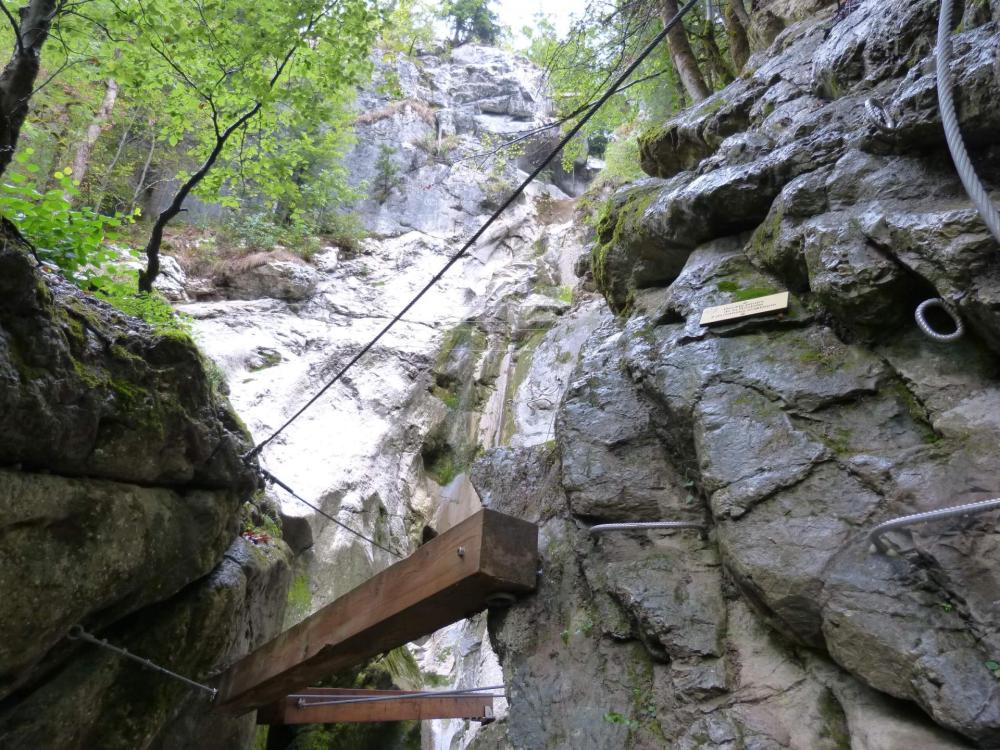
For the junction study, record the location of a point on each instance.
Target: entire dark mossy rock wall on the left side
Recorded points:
(121, 494)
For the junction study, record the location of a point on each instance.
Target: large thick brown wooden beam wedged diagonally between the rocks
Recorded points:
(444, 581)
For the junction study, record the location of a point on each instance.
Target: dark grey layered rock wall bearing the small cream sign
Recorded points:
(790, 436)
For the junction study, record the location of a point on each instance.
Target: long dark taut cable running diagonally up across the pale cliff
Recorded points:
(517, 193)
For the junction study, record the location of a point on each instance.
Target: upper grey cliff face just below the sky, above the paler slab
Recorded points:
(455, 106)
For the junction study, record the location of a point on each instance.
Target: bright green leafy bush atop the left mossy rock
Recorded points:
(78, 241)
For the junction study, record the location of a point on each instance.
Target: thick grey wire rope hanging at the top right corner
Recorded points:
(966, 172)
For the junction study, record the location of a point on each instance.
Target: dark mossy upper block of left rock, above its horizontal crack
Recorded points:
(87, 390)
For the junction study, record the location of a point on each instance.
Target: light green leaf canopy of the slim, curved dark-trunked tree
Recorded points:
(212, 61)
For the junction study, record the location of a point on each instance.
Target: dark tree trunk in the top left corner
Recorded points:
(17, 81)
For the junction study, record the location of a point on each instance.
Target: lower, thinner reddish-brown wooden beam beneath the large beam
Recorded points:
(408, 709)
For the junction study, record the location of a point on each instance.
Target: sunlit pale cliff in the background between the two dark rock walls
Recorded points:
(483, 360)
